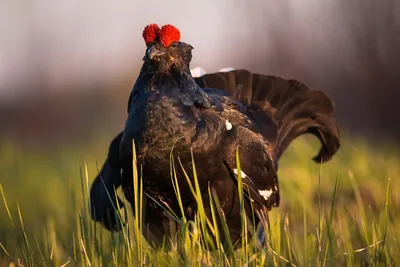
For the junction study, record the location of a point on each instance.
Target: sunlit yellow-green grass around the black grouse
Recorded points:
(344, 212)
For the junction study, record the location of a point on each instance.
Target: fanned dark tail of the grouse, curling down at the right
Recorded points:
(283, 109)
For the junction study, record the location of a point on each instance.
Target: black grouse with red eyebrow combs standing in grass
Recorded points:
(208, 118)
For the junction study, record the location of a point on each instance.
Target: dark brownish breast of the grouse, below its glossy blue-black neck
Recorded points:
(167, 125)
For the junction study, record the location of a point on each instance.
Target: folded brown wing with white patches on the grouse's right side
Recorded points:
(255, 154)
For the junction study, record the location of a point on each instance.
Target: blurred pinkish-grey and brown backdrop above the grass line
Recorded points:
(67, 67)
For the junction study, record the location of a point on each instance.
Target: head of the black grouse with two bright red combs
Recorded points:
(164, 48)
